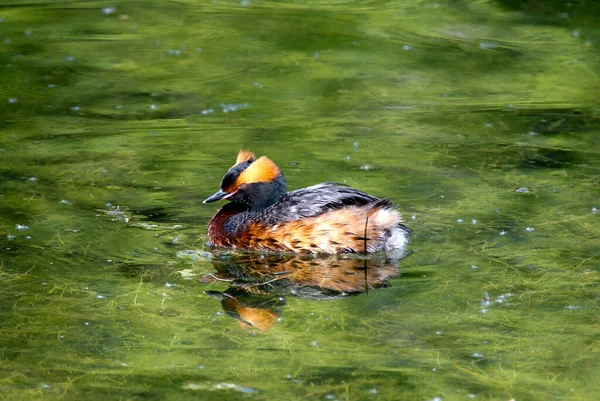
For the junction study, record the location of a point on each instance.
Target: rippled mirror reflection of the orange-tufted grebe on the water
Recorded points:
(258, 283)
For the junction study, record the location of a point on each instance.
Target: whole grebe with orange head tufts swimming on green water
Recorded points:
(326, 218)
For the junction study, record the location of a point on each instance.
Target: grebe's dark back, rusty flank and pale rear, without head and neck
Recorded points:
(324, 218)
